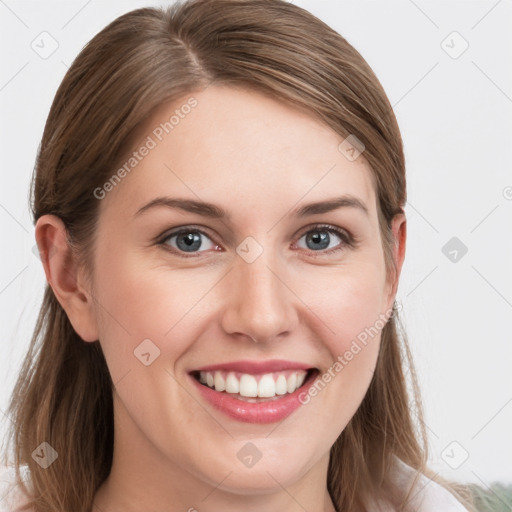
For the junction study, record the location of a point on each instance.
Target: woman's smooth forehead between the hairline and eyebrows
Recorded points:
(236, 144)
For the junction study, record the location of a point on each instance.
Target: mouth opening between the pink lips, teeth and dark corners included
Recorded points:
(255, 387)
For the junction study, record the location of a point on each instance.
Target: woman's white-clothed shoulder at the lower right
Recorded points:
(426, 495)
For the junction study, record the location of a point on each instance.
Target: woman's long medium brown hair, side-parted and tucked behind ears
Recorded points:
(141, 60)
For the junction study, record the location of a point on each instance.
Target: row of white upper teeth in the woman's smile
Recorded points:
(263, 386)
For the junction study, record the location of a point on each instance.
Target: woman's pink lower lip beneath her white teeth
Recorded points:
(270, 411)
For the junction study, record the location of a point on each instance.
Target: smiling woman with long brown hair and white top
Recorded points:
(218, 202)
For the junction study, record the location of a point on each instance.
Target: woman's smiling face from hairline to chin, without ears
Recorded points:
(273, 286)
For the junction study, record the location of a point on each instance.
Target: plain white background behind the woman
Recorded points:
(455, 116)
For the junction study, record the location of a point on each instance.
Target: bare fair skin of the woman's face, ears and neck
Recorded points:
(259, 159)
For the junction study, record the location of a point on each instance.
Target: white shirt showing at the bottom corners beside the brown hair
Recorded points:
(428, 496)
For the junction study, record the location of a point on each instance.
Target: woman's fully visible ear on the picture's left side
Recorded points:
(64, 276)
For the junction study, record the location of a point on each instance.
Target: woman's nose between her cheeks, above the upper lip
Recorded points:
(259, 303)
